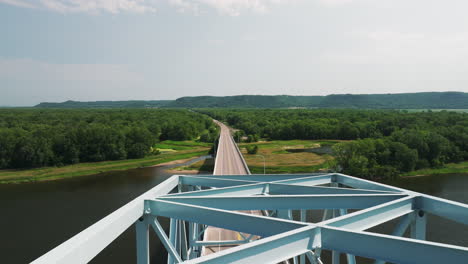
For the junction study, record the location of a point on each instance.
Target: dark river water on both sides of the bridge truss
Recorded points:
(39, 216)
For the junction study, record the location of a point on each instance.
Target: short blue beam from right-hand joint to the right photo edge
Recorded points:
(454, 211)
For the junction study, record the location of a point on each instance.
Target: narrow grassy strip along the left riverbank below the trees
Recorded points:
(190, 150)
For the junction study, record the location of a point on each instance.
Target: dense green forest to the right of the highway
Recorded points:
(385, 143)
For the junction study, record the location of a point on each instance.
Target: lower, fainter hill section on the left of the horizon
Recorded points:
(106, 104)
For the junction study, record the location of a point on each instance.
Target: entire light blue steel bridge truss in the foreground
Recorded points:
(194, 202)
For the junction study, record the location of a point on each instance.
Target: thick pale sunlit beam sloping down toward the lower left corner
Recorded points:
(88, 243)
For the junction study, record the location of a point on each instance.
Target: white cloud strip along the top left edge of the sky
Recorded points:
(87, 6)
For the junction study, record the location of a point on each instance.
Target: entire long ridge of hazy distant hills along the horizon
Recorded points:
(429, 100)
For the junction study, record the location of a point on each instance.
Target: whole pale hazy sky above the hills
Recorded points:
(89, 50)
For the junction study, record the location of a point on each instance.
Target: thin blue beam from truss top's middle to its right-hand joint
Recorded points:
(276, 188)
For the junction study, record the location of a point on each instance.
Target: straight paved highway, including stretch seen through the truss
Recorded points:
(228, 161)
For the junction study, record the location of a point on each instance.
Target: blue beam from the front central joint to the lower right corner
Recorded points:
(390, 248)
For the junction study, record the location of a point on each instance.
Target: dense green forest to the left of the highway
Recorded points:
(44, 137)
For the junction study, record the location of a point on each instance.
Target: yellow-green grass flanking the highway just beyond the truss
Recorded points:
(278, 159)
